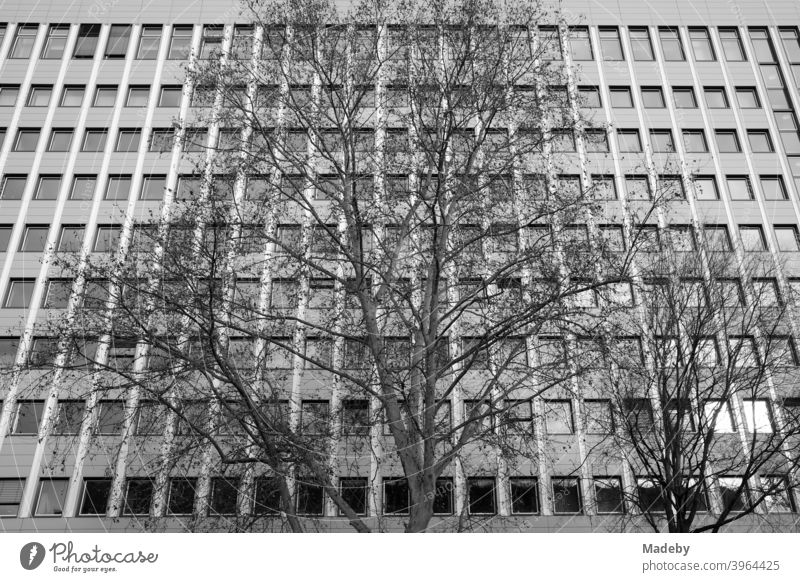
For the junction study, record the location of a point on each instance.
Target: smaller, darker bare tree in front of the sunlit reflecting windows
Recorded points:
(699, 415)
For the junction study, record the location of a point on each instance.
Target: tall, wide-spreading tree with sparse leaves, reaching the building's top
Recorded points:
(379, 258)
